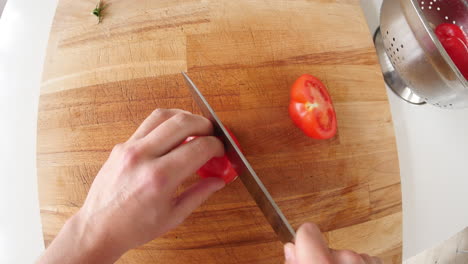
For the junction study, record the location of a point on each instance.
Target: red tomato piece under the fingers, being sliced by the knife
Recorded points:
(219, 167)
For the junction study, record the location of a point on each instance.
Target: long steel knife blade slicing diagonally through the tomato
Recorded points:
(246, 173)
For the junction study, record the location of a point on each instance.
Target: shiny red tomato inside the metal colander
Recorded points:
(455, 42)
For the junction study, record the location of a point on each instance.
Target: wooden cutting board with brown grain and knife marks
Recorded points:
(101, 80)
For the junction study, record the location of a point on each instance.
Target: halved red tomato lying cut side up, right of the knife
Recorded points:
(311, 108)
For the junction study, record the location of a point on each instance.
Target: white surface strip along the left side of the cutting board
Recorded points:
(24, 31)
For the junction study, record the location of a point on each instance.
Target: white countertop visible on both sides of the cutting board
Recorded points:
(432, 145)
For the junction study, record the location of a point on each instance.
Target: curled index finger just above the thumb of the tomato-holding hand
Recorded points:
(186, 159)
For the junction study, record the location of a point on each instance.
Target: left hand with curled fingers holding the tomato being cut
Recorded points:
(132, 199)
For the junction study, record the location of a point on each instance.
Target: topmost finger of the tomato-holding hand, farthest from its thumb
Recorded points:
(156, 118)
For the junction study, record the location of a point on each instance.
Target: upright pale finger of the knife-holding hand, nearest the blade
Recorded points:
(310, 245)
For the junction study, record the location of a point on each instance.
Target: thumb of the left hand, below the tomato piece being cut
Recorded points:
(193, 197)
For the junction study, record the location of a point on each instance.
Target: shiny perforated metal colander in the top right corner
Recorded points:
(414, 63)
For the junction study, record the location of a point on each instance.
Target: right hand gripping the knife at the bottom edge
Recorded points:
(311, 248)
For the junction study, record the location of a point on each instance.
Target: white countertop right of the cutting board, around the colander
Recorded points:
(433, 153)
